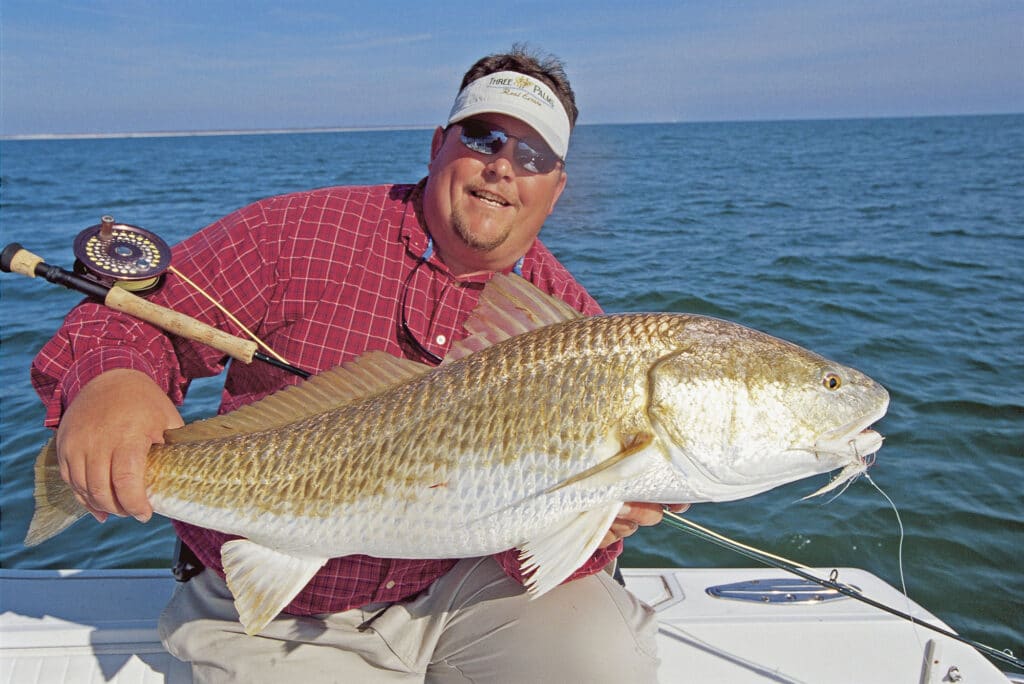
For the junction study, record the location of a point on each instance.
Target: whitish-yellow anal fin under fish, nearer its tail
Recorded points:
(264, 581)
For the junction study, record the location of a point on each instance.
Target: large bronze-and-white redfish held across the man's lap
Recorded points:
(531, 436)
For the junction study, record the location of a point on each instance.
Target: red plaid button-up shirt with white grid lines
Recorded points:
(320, 277)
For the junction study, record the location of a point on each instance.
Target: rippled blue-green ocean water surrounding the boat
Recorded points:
(894, 246)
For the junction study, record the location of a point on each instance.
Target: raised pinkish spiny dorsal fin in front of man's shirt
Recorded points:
(509, 306)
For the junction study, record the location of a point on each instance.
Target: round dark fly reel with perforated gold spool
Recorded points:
(122, 255)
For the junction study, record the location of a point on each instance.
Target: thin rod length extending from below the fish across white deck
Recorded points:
(682, 525)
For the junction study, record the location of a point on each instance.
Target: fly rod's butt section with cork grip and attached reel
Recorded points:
(113, 263)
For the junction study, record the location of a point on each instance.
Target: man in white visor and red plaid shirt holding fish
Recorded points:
(323, 277)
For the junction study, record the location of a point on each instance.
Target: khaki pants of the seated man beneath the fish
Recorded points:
(474, 625)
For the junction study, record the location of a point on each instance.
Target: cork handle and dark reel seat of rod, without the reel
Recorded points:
(17, 260)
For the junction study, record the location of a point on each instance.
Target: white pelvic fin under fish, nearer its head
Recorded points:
(552, 557)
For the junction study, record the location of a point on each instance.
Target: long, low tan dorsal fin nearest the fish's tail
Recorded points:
(371, 374)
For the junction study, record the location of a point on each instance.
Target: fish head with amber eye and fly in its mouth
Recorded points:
(741, 412)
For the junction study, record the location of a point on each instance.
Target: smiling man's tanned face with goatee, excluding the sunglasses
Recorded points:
(485, 211)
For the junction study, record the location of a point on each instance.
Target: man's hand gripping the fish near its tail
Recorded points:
(105, 437)
